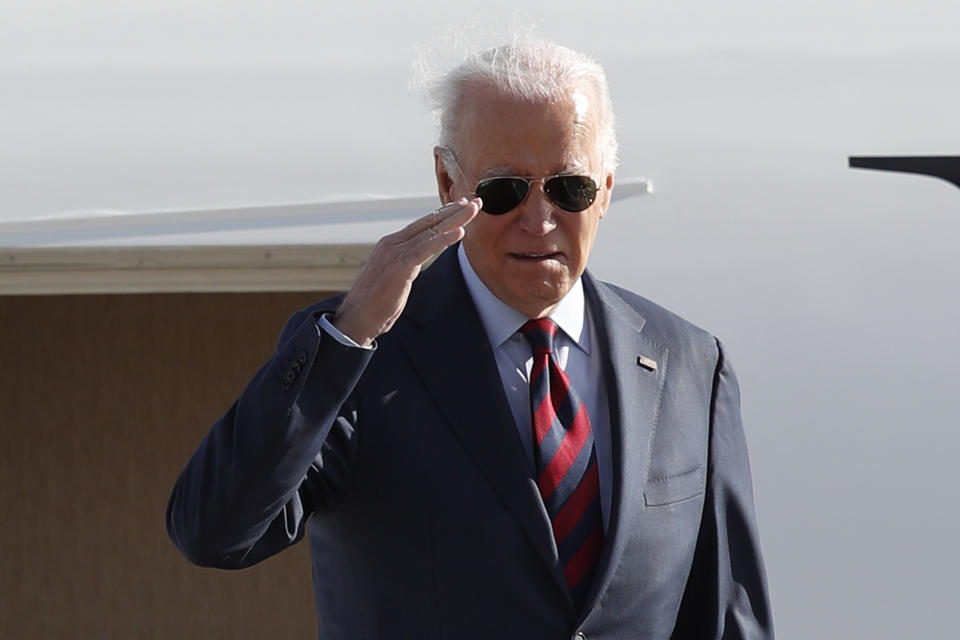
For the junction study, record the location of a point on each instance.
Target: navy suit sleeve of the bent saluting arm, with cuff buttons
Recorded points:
(283, 450)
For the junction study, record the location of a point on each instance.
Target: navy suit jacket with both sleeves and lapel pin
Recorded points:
(404, 468)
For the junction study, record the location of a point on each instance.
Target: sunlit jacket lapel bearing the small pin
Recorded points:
(634, 395)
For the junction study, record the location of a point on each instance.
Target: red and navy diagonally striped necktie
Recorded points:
(566, 461)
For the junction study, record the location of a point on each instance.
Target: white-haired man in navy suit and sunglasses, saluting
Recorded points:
(501, 446)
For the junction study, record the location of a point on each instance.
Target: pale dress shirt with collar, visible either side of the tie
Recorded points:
(576, 353)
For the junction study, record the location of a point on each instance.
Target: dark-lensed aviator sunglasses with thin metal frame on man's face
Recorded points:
(501, 194)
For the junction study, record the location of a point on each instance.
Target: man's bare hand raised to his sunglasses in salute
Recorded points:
(378, 295)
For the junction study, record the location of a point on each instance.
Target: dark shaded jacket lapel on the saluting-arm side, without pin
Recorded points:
(450, 350)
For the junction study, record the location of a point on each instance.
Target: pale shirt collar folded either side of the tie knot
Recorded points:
(501, 321)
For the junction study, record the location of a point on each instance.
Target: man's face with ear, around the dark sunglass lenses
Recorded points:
(528, 257)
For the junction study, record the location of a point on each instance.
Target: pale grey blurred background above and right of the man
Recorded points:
(835, 291)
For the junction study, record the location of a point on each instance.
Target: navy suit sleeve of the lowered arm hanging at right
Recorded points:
(726, 595)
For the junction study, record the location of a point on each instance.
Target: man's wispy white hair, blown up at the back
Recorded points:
(526, 69)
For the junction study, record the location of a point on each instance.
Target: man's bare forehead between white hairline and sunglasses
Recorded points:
(501, 133)
